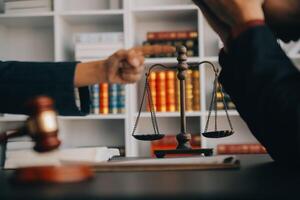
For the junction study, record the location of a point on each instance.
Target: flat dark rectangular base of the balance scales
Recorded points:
(179, 152)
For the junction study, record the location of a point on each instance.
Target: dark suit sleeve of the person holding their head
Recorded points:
(265, 86)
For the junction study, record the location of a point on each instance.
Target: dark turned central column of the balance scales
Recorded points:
(183, 137)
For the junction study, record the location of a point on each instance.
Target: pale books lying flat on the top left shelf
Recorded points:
(27, 6)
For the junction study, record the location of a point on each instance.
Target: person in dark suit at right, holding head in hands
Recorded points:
(262, 81)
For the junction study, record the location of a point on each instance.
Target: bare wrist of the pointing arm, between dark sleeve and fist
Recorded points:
(90, 73)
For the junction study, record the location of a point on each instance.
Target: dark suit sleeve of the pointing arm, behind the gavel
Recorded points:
(20, 81)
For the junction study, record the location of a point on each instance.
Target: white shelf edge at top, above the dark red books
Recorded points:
(166, 8)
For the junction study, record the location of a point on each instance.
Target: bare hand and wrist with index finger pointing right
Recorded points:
(124, 66)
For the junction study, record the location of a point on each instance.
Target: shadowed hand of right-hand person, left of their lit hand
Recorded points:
(222, 29)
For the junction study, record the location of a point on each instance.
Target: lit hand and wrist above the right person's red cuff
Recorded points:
(236, 12)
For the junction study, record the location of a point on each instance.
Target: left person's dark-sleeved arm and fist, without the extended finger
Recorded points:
(20, 81)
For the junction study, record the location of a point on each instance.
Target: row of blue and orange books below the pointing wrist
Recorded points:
(107, 98)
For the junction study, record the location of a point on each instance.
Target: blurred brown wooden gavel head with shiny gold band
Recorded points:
(42, 125)
